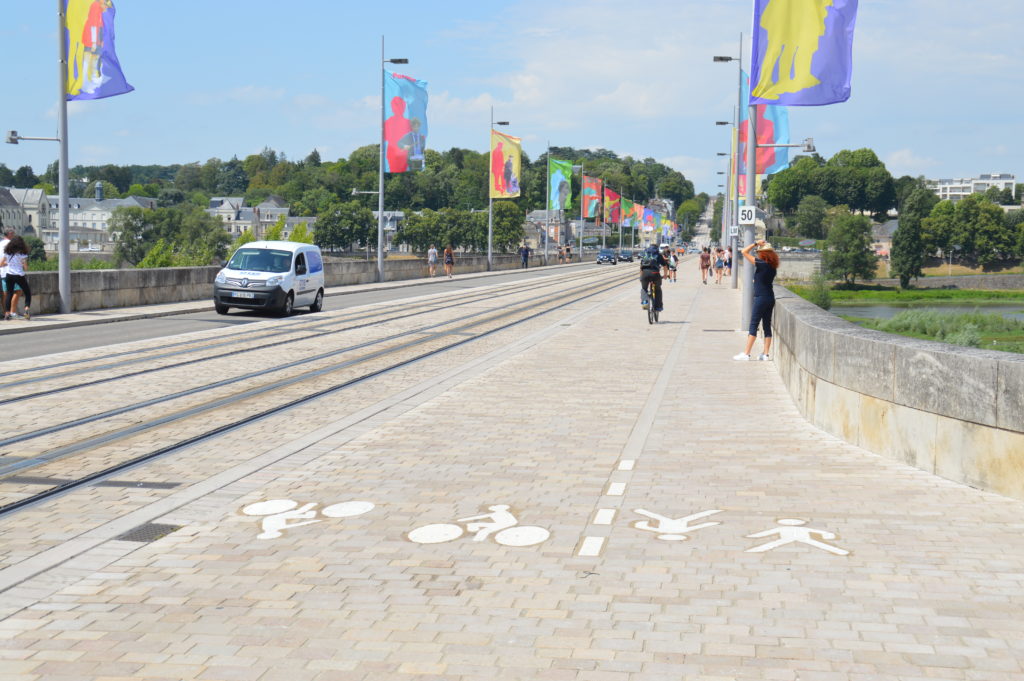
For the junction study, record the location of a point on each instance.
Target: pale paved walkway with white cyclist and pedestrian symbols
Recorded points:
(692, 526)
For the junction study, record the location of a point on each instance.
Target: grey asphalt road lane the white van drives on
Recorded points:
(39, 344)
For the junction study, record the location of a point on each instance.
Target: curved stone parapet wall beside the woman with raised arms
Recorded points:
(956, 412)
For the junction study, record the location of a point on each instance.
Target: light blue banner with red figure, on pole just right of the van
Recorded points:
(406, 126)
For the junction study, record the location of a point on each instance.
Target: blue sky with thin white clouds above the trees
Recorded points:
(937, 84)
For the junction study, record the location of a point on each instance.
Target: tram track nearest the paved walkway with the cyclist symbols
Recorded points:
(521, 314)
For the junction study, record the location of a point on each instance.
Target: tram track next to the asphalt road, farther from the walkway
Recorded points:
(321, 330)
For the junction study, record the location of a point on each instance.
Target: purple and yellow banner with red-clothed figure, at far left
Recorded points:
(94, 70)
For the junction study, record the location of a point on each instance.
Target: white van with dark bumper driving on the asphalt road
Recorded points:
(272, 276)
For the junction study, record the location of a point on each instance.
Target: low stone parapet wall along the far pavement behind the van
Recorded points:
(97, 289)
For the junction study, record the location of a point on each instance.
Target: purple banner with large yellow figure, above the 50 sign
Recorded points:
(802, 54)
